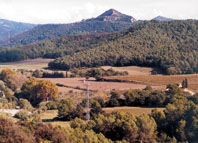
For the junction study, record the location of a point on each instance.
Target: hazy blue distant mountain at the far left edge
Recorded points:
(11, 28)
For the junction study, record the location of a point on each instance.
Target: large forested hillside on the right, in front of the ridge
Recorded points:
(172, 46)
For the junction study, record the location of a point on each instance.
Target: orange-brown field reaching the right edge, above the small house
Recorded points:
(161, 79)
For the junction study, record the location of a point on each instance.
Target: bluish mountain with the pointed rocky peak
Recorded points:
(109, 21)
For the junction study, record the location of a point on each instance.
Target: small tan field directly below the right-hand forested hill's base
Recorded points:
(133, 70)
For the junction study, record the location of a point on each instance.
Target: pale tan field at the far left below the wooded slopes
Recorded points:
(32, 64)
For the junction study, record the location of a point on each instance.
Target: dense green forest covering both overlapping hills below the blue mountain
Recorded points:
(172, 46)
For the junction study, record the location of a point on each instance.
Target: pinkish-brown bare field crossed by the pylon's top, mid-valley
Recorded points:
(97, 86)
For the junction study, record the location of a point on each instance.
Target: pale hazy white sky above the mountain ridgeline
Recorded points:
(67, 11)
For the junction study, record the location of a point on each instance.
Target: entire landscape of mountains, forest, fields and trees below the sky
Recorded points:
(106, 79)
